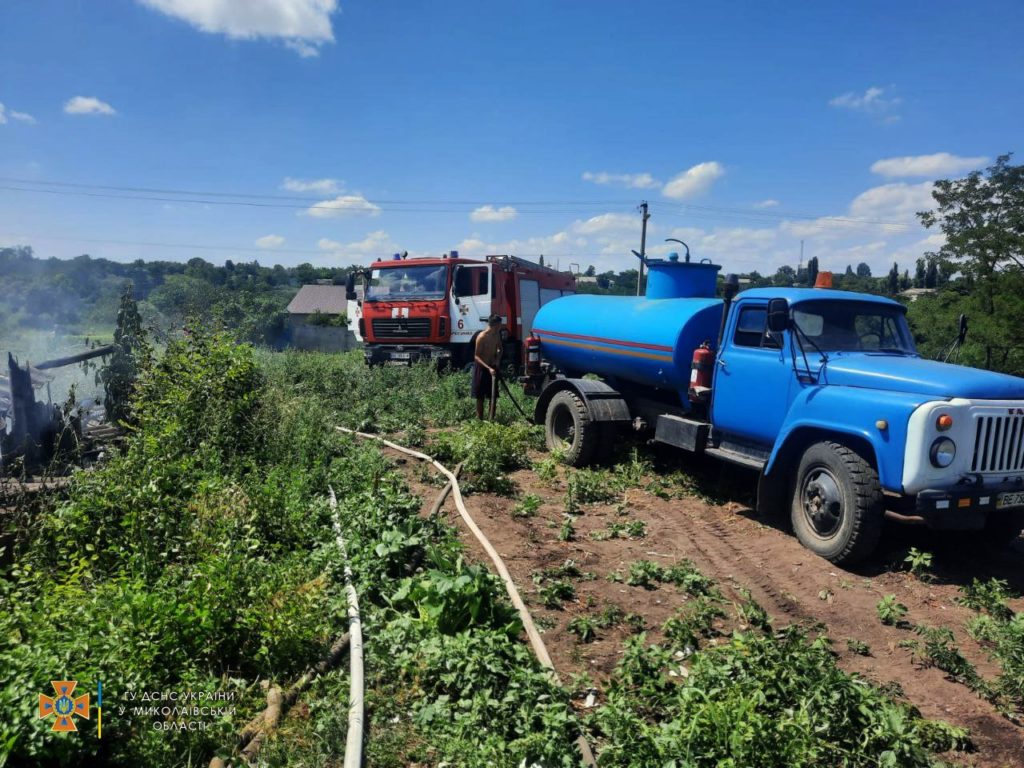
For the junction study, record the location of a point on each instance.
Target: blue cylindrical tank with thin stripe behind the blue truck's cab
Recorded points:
(632, 339)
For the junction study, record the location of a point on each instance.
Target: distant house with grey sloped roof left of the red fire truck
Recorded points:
(320, 320)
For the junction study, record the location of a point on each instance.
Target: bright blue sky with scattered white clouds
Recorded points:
(527, 127)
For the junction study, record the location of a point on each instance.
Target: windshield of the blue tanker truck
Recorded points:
(854, 326)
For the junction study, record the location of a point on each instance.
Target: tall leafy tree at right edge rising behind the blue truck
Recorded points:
(983, 219)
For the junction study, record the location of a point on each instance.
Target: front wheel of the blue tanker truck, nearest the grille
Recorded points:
(837, 510)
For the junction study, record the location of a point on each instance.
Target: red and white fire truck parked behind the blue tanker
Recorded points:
(433, 309)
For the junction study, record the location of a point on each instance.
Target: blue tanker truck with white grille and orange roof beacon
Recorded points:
(821, 392)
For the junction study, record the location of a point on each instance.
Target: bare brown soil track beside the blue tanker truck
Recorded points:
(739, 548)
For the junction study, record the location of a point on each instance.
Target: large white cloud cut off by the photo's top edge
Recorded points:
(304, 25)
